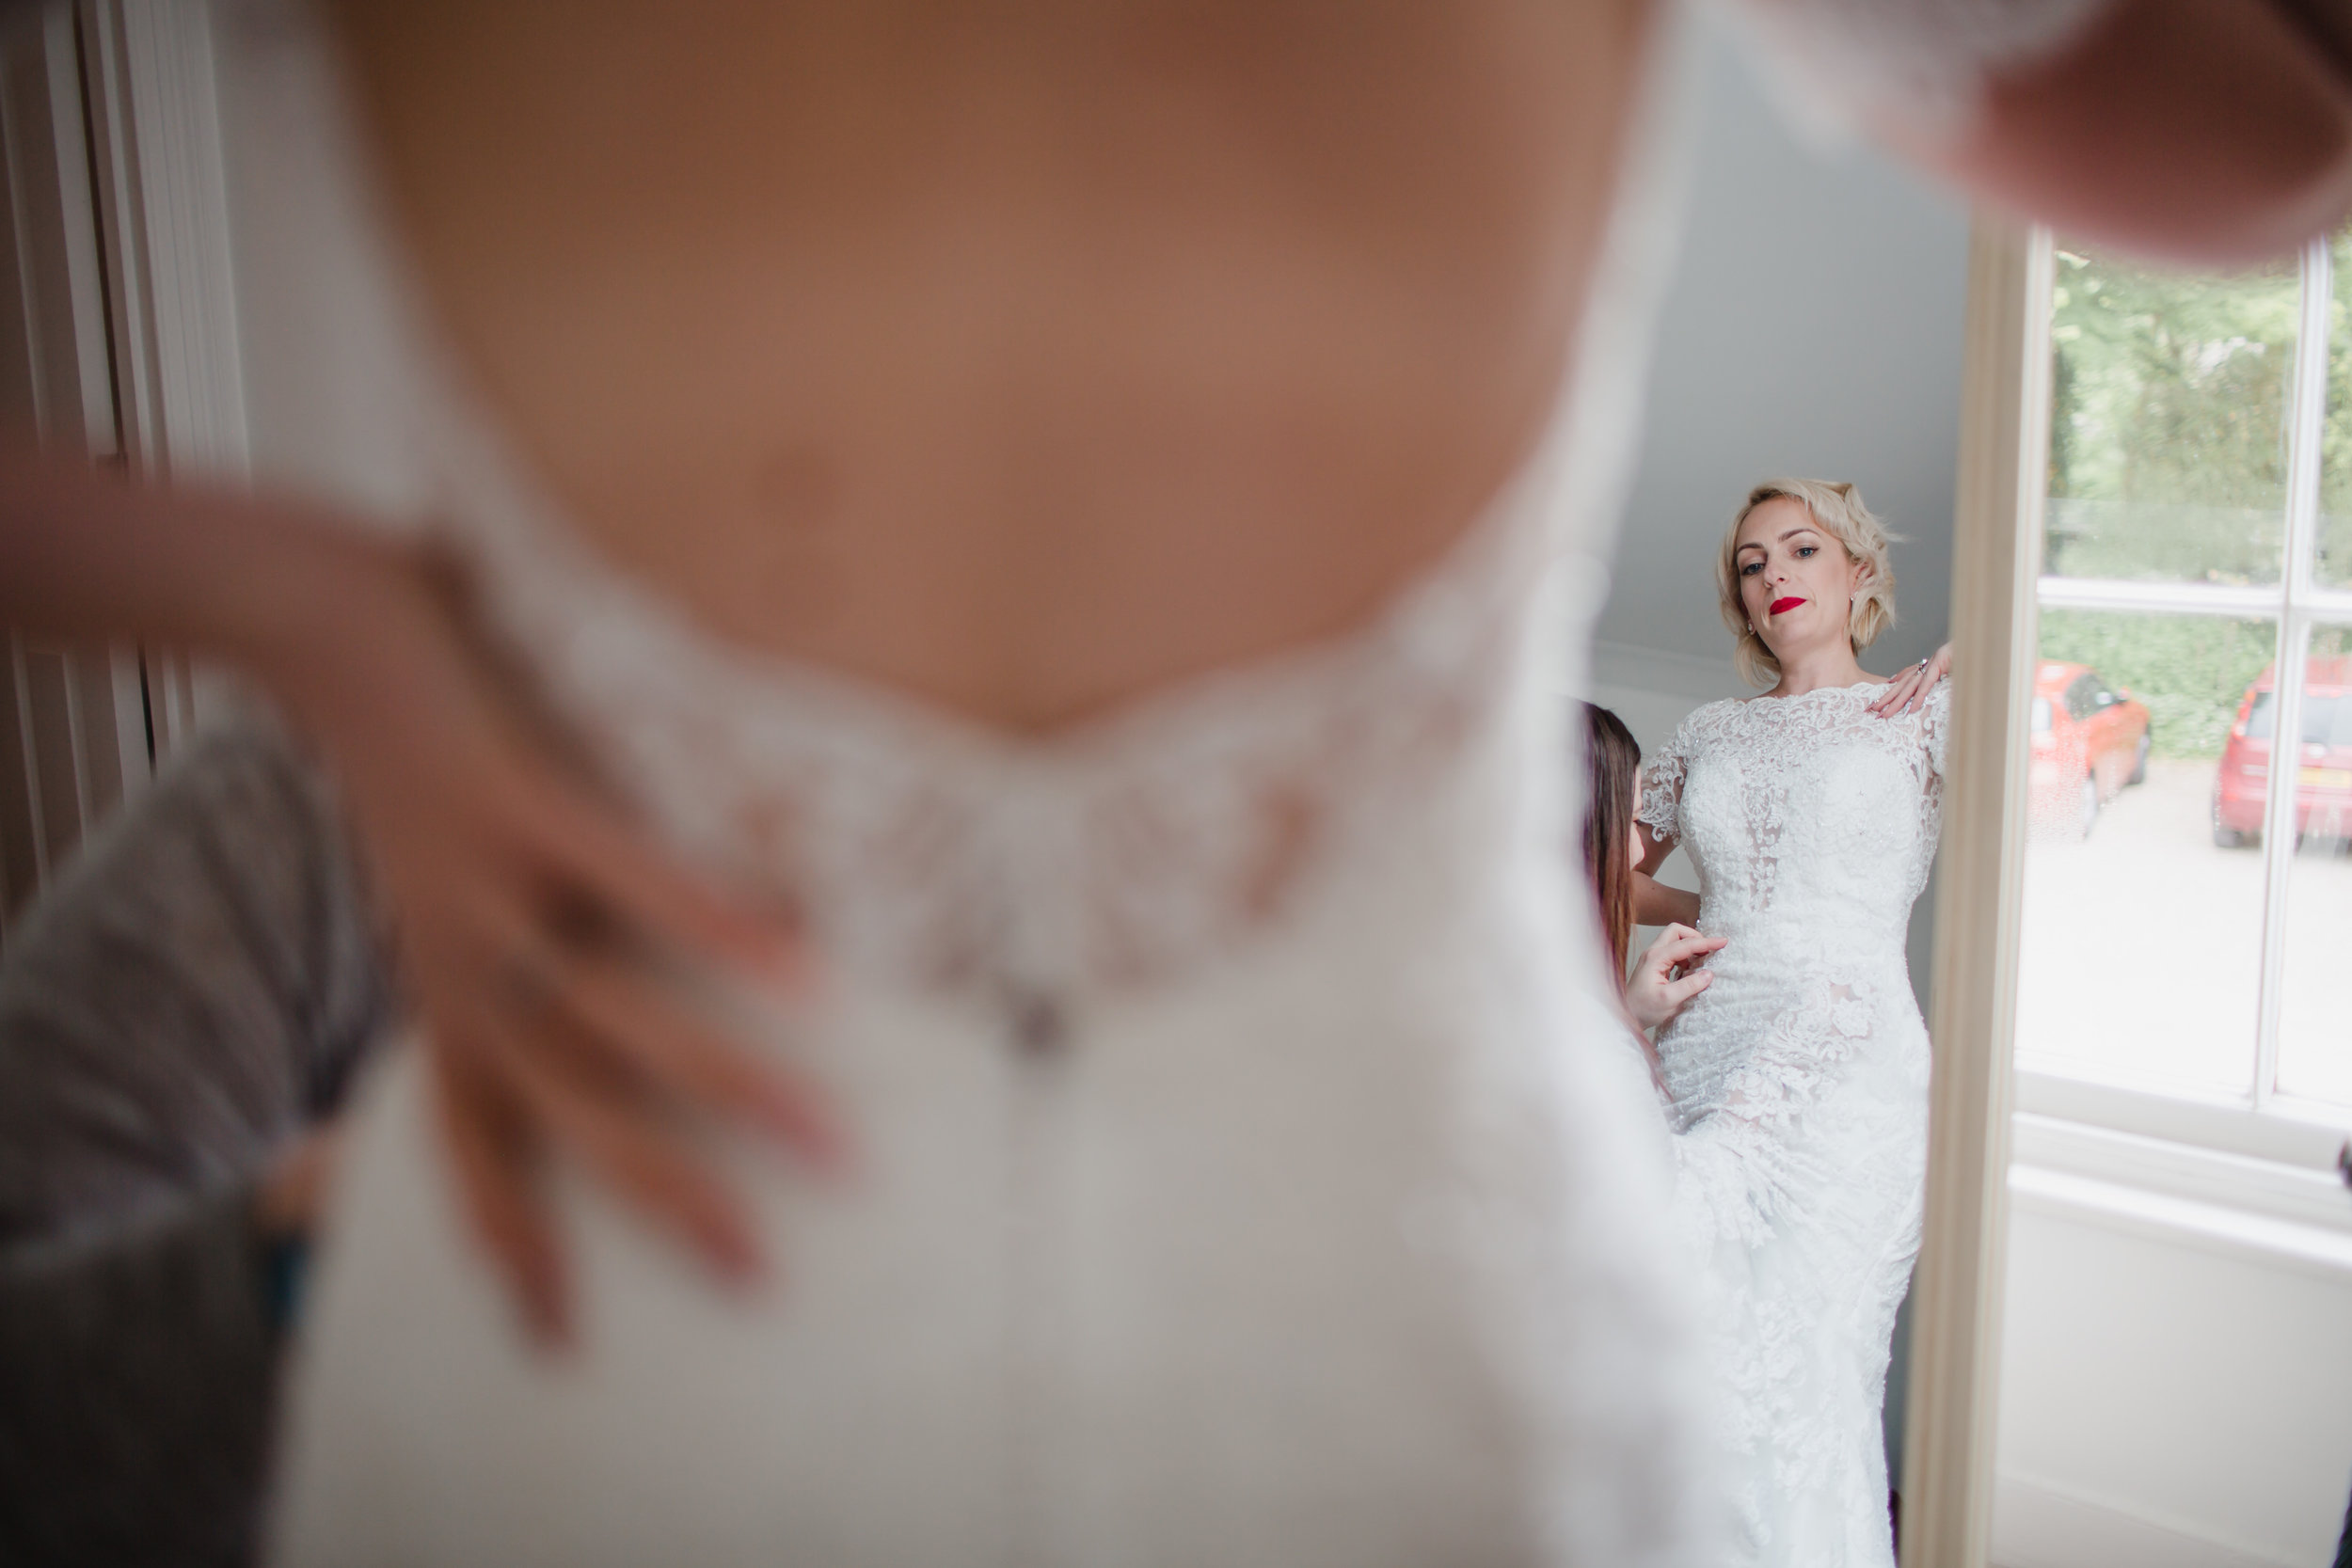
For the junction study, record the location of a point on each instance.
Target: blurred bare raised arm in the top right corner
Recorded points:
(2203, 130)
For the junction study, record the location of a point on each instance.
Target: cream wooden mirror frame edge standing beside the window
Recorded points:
(1956, 1358)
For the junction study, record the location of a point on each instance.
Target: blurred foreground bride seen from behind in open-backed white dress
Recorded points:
(1029, 516)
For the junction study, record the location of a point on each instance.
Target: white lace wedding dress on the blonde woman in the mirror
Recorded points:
(1798, 1090)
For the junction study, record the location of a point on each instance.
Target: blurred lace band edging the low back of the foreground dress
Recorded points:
(940, 855)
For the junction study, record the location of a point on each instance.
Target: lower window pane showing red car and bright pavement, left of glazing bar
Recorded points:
(2144, 909)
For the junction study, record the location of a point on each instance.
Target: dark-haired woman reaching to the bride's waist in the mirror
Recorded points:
(1671, 972)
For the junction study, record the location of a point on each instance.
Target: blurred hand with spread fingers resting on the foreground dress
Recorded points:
(544, 944)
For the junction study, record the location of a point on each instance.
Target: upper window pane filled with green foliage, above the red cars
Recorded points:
(2170, 422)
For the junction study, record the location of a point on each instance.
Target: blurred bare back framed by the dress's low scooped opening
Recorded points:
(1020, 356)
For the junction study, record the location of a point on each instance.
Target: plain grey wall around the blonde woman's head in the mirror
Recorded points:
(1812, 328)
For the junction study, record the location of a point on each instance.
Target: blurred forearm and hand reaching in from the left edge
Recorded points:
(535, 927)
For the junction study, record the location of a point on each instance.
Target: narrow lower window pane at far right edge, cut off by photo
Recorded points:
(2316, 1005)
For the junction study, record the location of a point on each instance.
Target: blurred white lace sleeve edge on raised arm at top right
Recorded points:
(1920, 65)
